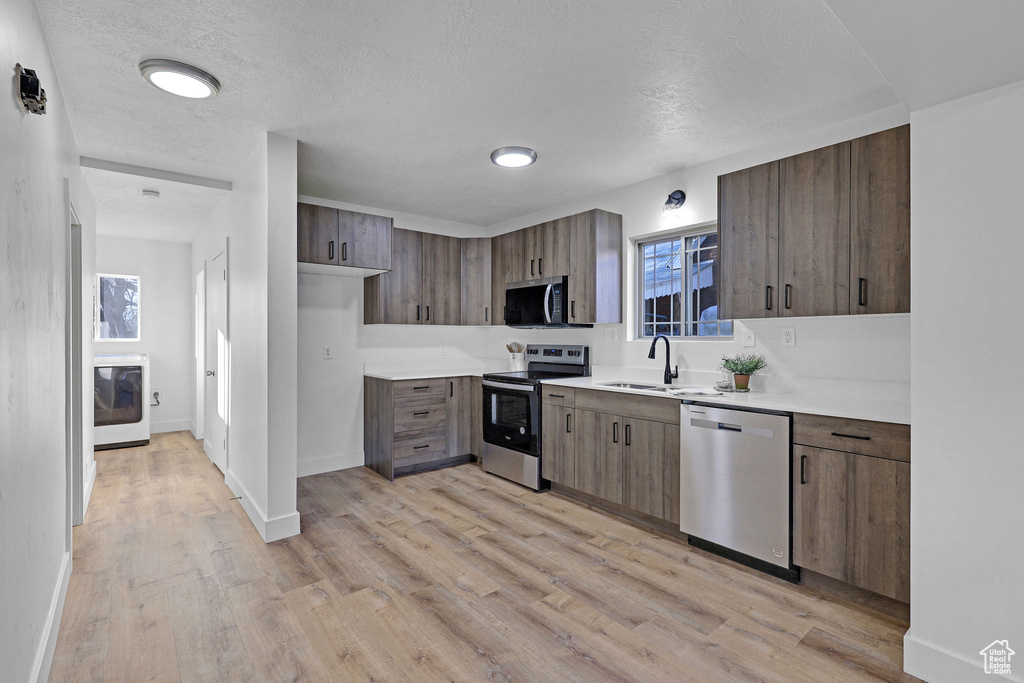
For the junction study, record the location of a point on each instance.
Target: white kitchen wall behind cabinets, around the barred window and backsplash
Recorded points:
(864, 356)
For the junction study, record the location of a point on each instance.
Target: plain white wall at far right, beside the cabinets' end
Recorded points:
(967, 525)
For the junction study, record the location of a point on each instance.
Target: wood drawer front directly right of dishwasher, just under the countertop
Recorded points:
(882, 440)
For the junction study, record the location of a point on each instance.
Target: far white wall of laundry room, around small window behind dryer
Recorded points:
(165, 317)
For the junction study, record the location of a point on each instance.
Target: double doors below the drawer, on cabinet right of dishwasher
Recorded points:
(852, 520)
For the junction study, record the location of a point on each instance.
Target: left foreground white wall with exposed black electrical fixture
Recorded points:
(38, 154)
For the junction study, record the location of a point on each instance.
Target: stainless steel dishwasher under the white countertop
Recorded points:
(735, 486)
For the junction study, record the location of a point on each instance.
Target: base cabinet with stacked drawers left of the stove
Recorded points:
(416, 425)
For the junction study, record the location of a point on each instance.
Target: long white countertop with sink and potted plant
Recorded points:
(837, 407)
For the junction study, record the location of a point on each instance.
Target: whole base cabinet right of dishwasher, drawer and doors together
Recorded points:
(851, 502)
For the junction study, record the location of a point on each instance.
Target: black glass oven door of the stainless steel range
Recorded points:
(513, 416)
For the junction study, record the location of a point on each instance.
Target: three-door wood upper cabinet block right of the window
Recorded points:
(826, 233)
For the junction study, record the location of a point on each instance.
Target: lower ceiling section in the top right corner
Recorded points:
(932, 52)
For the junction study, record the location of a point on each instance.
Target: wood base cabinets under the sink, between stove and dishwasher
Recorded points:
(622, 449)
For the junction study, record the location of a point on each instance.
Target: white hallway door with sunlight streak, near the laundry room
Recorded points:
(218, 355)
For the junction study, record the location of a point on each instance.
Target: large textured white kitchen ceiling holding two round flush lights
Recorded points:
(399, 104)
